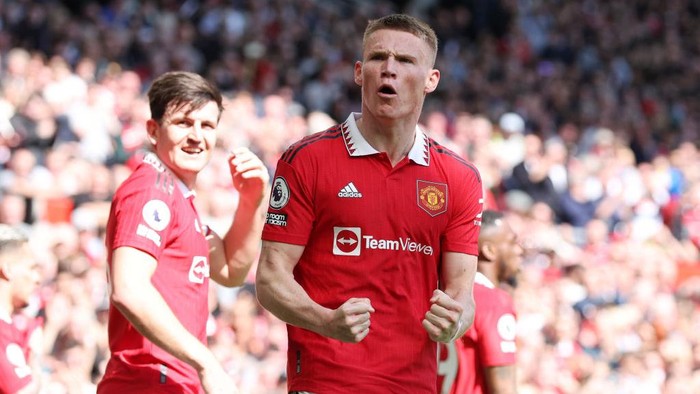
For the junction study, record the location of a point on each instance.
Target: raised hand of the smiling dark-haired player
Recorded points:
(249, 174)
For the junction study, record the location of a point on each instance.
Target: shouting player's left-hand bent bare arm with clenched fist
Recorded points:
(281, 294)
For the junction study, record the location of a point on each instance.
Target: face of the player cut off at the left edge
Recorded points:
(22, 270)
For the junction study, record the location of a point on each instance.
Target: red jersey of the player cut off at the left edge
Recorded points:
(15, 374)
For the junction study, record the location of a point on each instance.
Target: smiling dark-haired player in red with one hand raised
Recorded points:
(161, 255)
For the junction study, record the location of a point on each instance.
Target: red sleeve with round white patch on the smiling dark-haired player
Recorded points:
(142, 214)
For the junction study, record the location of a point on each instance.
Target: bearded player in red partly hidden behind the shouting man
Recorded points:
(483, 360)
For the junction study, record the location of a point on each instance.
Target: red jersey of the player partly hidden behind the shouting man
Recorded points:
(489, 342)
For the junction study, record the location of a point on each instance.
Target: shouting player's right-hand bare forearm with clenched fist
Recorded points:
(456, 300)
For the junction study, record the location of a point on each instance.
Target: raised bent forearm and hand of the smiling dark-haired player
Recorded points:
(230, 258)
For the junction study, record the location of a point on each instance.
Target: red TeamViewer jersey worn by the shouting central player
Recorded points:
(376, 231)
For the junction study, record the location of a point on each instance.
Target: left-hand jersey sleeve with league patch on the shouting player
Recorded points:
(290, 215)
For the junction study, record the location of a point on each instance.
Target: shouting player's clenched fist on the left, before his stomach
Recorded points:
(351, 321)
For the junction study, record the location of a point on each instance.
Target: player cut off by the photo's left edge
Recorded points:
(19, 278)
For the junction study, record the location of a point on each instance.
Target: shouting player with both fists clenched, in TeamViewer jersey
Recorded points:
(369, 250)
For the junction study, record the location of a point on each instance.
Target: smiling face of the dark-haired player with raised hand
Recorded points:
(184, 139)
